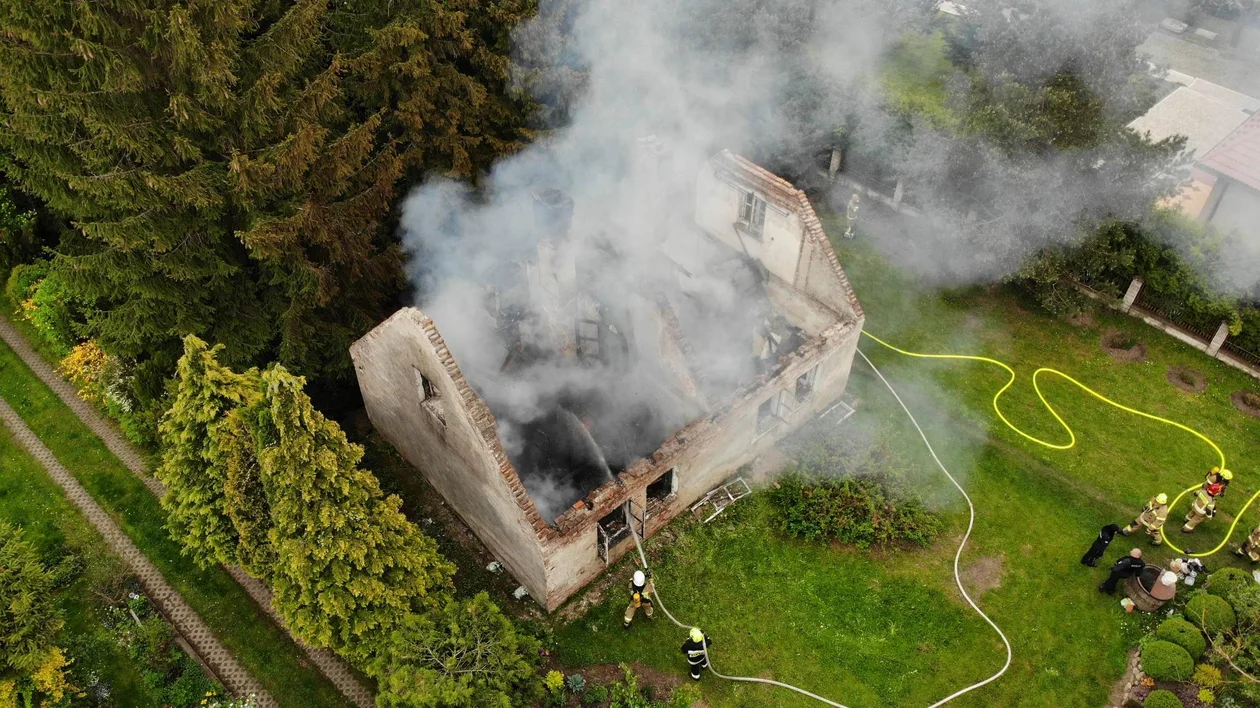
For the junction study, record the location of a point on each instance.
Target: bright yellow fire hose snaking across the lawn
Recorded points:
(1072, 437)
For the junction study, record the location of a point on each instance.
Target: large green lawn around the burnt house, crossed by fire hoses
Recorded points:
(889, 628)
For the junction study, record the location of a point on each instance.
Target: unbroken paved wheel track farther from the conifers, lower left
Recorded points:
(172, 605)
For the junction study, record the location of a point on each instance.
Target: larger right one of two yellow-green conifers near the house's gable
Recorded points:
(350, 566)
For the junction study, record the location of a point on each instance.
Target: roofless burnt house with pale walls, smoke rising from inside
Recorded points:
(743, 328)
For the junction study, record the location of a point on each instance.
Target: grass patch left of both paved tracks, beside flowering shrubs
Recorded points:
(33, 502)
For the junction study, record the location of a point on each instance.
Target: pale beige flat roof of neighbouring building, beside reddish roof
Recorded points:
(1203, 111)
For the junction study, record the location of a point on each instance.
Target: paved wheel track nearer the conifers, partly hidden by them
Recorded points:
(337, 671)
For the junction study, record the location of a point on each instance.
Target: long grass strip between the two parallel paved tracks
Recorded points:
(266, 651)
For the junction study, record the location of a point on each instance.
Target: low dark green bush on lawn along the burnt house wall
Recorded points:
(857, 511)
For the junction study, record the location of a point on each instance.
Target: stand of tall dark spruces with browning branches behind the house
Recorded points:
(230, 166)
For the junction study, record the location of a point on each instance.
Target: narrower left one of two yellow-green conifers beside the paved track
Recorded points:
(193, 464)
